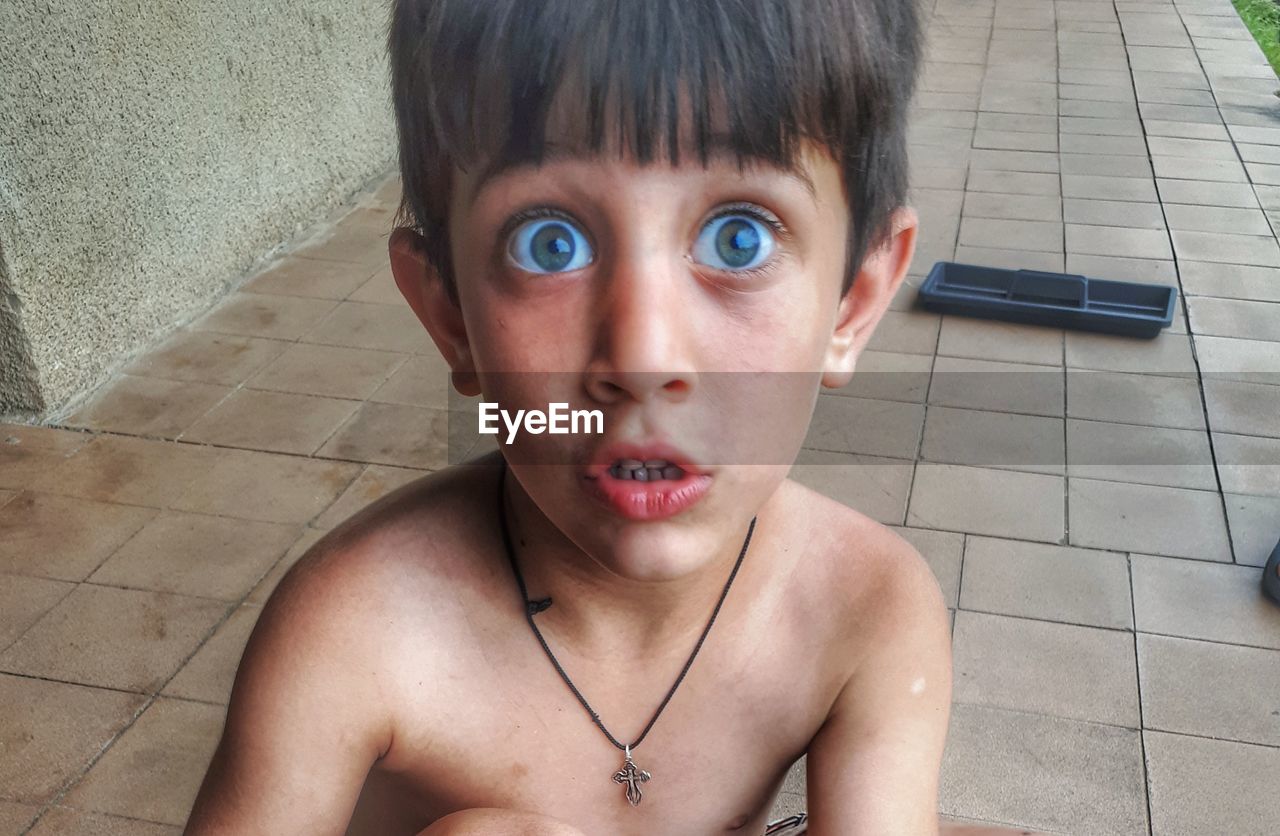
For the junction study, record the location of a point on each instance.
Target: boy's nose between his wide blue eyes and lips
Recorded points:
(644, 341)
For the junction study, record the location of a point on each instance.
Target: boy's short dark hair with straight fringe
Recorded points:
(474, 81)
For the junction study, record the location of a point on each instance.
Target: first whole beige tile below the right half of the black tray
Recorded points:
(1135, 399)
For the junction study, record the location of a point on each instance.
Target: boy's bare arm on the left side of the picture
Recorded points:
(307, 720)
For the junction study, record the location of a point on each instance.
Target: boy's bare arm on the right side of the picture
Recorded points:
(875, 765)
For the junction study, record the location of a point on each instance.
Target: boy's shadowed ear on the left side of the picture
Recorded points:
(426, 293)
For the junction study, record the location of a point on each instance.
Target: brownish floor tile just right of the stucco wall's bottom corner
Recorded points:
(148, 406)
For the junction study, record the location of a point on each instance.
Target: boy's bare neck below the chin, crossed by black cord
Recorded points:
(600, 615)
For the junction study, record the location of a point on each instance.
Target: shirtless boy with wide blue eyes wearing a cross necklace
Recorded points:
(688, 214)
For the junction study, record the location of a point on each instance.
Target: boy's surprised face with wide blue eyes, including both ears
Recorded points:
(697, 308)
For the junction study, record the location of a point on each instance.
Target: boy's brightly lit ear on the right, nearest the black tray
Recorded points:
(875, 286)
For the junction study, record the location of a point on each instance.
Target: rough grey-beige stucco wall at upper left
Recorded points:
(153, 150)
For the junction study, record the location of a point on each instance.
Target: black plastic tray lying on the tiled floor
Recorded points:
(1066, 300)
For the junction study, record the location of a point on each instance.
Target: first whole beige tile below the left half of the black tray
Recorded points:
(999, 387)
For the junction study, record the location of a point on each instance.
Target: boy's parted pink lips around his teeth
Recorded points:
(646, 501)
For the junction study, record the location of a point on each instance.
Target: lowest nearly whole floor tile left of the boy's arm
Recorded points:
(156, 769)
